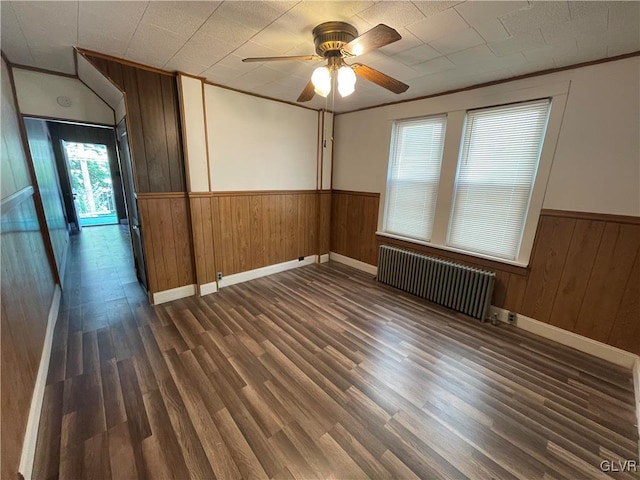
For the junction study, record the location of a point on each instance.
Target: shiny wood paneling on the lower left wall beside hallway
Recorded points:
(27, 291)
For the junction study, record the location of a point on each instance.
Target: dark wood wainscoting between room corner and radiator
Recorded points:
(354, 221)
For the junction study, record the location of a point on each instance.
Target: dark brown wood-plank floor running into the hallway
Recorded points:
(317, 372)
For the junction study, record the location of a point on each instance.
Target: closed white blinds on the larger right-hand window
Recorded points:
(497, 168)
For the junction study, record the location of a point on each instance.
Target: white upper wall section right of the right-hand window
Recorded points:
(597, 163)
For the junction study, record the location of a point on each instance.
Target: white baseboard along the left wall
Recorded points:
(33, 422)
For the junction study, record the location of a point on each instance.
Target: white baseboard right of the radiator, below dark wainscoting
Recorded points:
(570, 339)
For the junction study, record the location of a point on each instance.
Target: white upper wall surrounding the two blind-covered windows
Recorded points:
(596, 167)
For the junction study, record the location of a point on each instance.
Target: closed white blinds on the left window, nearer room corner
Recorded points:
(414, 173)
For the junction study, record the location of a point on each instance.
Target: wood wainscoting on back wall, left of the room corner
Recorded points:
(240, 231)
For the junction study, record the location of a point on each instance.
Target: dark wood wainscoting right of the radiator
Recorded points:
(585, 277)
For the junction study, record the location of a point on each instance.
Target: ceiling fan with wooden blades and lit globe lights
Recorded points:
(335, 41)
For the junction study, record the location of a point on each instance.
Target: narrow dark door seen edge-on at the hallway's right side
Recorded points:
(132, 203)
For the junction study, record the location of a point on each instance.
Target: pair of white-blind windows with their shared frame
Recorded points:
(481, 194)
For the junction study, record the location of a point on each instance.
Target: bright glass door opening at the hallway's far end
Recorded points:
(92, 188)
